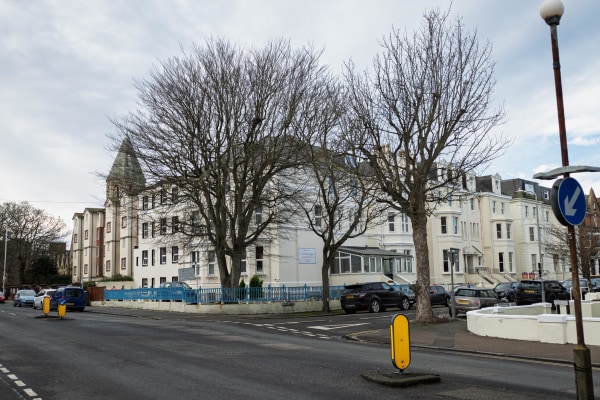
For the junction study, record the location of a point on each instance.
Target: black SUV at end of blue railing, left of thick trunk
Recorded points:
(372, 296)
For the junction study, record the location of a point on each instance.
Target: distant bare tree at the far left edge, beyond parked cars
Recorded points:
(30, 233)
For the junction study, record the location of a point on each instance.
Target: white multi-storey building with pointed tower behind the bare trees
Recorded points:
(483, 231)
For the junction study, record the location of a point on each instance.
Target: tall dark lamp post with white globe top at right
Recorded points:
(551, 11)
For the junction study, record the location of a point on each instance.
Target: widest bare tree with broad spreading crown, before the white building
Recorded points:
(225, 125)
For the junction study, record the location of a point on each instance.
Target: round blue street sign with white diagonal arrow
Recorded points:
(568, 201)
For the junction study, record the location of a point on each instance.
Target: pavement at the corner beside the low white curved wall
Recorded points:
(454, 336)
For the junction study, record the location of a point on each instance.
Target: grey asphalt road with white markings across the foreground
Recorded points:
(154, 355)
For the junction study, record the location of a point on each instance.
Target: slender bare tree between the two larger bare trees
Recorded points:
(340, 199)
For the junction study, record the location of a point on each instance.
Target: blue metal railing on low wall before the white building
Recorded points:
(224, 295)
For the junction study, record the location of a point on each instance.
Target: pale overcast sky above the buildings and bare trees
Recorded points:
(67, 68)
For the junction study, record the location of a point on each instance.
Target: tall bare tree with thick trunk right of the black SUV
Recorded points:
(427, 101)
